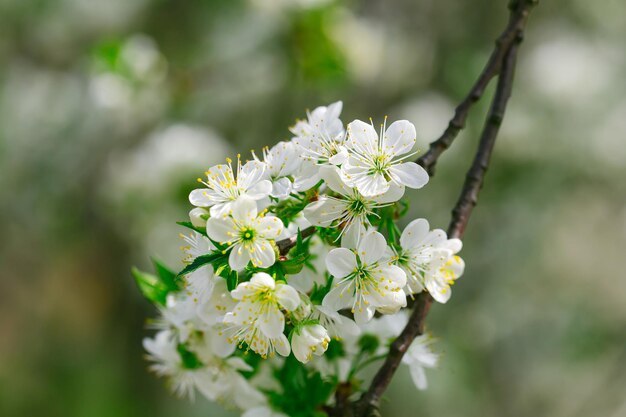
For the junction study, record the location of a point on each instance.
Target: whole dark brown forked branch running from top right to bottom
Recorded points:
(368, 404)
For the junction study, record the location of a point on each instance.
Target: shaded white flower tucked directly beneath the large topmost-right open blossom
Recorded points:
(349, 209)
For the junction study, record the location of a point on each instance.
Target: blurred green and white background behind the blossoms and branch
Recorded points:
(109, 110)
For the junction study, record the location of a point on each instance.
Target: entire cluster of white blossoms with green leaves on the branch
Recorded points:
(273, 329)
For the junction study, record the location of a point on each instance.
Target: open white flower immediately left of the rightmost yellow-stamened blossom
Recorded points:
(365, 281)
